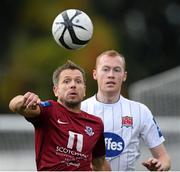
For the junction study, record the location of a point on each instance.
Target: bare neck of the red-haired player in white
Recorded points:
(107, 97)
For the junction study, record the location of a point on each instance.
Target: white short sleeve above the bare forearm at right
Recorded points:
(150, 131)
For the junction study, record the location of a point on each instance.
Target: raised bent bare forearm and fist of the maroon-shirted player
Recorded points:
(26, 105)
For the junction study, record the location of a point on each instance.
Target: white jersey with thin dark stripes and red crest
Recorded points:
(125, 123)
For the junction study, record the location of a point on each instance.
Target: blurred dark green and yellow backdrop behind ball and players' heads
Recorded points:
(146, 32)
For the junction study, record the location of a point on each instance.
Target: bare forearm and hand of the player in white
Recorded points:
(160, 160)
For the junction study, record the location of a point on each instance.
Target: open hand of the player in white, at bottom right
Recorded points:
(153, 164)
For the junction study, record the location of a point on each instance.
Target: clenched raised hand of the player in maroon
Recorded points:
(31, 100)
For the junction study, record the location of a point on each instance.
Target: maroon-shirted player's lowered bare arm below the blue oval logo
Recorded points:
(100, 164)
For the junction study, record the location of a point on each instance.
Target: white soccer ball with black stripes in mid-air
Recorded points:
(72, 29)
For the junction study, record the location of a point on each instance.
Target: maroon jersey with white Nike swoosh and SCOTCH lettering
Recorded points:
(65, 140)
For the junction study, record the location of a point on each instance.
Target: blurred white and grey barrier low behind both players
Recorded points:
(17, 143)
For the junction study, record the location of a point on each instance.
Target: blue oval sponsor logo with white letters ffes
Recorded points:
(114, 144)
